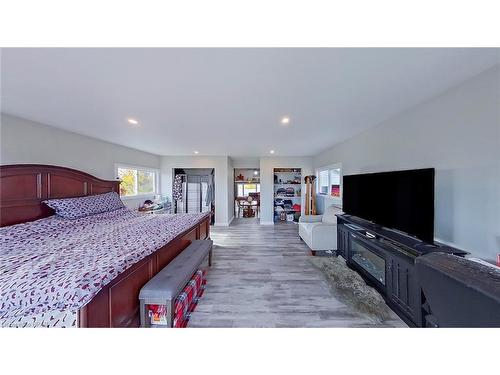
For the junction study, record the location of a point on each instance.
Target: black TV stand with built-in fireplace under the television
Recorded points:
(386, 259)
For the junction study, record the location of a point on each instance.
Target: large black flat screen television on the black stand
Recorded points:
(401, 200)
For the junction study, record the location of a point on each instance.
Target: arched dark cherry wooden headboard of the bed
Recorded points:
(23, 187)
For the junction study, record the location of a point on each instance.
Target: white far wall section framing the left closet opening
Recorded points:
(220, 163)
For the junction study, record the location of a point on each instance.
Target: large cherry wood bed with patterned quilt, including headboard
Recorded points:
(85, 272)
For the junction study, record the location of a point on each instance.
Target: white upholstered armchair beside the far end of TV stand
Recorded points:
(319, 232)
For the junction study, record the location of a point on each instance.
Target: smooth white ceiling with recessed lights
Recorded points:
(227, 101)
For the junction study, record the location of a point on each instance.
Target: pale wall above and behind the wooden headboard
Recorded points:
(24, 141)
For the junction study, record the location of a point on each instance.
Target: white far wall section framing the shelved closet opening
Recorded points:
(267, 165)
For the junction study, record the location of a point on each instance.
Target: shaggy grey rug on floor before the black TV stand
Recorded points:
(350, 288)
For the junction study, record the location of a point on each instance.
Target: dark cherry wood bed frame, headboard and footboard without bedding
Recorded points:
(23, 187)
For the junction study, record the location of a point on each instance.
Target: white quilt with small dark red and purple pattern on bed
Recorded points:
(52, 267)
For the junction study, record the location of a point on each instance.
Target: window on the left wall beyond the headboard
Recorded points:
(137, 181)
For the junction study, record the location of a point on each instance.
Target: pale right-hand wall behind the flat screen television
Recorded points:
(457, 133)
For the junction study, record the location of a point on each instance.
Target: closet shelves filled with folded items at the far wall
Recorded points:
(287, 181)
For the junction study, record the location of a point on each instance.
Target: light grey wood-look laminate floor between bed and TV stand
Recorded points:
(261, 278)
